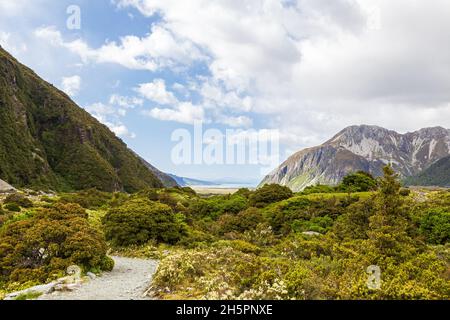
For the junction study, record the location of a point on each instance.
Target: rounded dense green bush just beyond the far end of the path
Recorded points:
(140, 220)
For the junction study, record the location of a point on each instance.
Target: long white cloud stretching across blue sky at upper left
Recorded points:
(158, 49)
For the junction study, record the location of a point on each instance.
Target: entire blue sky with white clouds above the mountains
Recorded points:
(305, 68)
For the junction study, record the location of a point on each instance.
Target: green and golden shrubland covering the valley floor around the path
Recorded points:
(265, 244)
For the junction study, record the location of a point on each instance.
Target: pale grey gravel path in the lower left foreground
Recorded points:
(127, 281)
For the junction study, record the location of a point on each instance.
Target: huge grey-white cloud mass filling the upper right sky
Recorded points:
(311, 67)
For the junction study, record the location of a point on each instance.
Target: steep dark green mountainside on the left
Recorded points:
(47, 141)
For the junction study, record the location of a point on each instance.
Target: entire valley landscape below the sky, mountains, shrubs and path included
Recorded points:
(73, 196)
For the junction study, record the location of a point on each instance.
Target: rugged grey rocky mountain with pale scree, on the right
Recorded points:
(366, 148)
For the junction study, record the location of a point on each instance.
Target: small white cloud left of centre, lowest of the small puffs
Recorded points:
(183, 112)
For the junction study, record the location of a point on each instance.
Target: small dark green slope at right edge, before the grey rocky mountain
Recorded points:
(438, 174)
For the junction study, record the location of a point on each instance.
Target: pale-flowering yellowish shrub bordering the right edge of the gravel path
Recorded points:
(214, 273)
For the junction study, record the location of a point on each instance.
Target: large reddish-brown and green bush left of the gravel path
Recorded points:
(40, 247)
